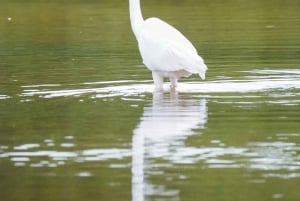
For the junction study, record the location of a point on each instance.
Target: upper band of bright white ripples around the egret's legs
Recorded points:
(231, 86)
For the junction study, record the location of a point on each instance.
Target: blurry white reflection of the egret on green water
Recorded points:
(165, 124)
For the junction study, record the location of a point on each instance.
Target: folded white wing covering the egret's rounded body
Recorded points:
(164, 48)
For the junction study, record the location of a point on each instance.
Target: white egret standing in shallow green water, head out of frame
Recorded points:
(164, 50)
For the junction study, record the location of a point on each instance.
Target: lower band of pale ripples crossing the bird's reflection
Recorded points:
(266, 156)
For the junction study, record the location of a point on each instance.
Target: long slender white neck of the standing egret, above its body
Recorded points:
(136, 17)
